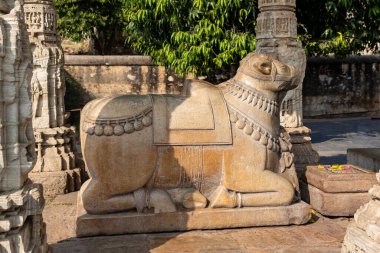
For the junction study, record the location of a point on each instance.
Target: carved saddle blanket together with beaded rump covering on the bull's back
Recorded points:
(197, 117)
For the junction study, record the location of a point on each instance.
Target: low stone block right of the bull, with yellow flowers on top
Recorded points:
(337, 192)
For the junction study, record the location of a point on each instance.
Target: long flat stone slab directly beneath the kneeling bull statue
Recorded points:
(131, 222)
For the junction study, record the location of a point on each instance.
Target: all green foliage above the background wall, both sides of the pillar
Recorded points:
(204, 36)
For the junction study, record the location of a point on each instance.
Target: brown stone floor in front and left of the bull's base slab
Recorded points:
(324, 235)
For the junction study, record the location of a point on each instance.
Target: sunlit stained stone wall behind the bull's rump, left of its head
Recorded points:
(100, 76)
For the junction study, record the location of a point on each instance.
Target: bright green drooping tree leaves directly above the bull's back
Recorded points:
(191, 36)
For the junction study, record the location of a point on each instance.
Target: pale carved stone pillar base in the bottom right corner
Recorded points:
(363, 234)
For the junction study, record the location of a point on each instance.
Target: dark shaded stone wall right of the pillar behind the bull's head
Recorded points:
(348, 86)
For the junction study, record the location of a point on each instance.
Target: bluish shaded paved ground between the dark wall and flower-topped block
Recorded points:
(332, 137)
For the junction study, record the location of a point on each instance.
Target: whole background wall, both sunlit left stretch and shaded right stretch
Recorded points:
(331, 86)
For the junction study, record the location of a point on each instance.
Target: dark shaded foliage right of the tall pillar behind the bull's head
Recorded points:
(339, 27)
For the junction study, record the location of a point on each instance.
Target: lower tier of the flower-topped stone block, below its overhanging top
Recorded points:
(333, 204)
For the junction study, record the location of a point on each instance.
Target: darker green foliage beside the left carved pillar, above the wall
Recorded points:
(96, 19)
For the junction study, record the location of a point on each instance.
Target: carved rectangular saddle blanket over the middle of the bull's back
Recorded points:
(198, 117)
